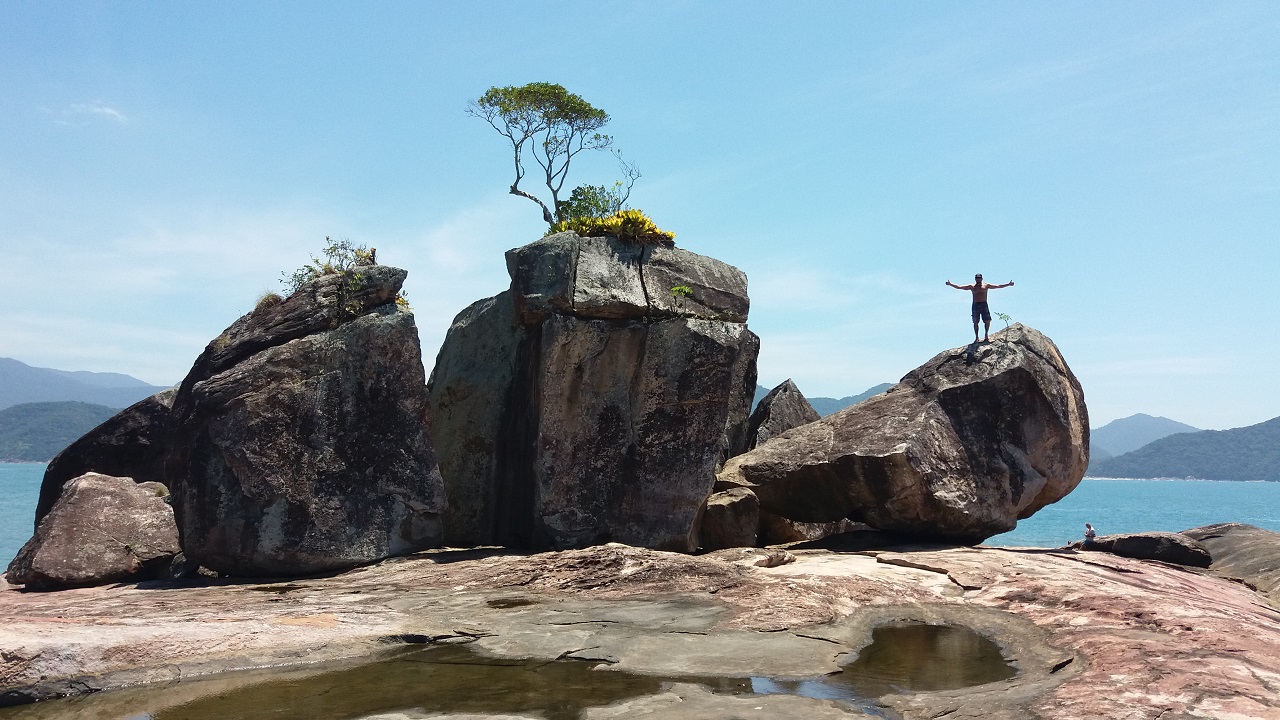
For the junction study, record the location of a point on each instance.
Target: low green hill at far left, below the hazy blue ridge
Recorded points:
(35, 432)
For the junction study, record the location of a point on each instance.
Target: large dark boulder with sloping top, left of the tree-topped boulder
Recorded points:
(300, 438)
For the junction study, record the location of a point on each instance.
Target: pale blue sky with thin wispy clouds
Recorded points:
(161, 165)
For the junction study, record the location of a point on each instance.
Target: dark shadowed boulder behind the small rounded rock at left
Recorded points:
(129, 445)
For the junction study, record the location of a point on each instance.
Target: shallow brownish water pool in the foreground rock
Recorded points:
(903, 658)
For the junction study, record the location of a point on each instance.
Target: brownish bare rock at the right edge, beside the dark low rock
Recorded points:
(1244, 553)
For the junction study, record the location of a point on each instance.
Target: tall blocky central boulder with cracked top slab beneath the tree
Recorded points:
(592, 404)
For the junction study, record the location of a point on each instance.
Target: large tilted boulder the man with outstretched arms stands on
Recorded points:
(958, 452)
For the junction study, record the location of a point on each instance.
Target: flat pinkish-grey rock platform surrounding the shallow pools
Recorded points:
(1094, 636)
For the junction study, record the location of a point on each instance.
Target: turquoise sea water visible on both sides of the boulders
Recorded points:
(1112, 505)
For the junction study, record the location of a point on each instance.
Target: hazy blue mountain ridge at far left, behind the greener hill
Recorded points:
(22, 384)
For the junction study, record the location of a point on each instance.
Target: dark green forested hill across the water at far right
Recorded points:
(1241, 454)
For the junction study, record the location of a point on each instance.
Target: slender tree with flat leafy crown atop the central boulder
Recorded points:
(554, 126)
